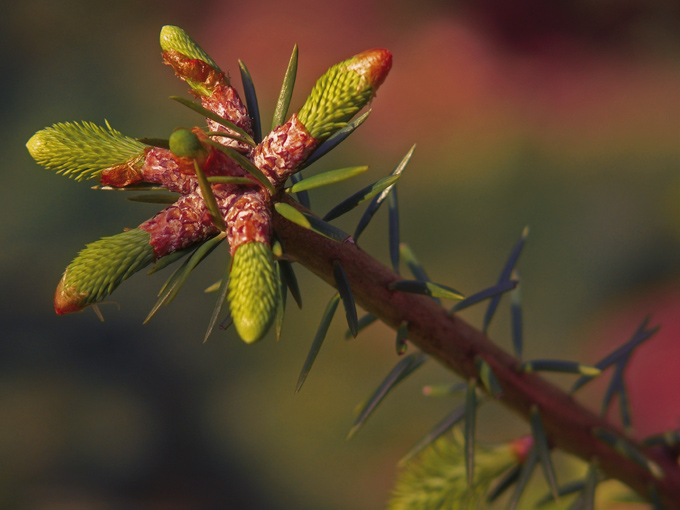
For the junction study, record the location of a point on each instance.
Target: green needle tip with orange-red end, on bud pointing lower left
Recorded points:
(100, 268)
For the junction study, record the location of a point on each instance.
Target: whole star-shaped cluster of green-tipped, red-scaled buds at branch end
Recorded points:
(228, 184)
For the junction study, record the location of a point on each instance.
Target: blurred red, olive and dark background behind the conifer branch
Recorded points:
(561, 116)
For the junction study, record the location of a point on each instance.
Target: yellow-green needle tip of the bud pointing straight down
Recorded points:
(253, 290)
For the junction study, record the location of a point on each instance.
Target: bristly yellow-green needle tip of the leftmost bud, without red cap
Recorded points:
(84, 150)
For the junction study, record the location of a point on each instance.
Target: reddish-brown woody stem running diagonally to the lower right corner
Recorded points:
(456, 344)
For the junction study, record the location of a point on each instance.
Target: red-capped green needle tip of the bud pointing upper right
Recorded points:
(344, 90)
